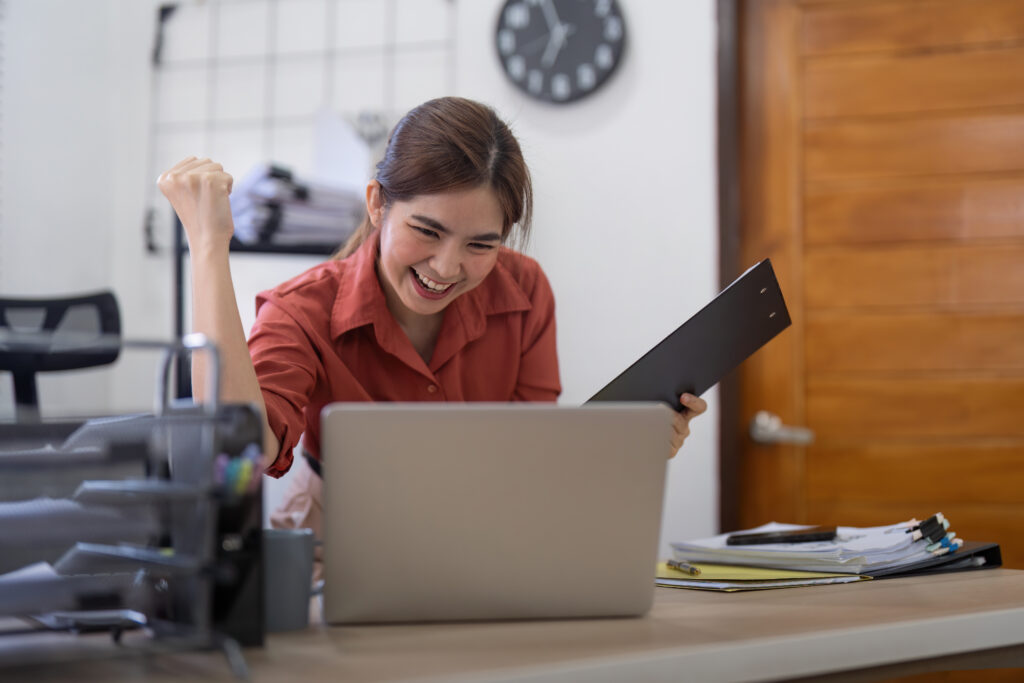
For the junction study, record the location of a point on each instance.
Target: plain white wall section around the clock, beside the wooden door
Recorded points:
(626, 217)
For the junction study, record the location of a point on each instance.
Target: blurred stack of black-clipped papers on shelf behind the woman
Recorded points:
(272, 207)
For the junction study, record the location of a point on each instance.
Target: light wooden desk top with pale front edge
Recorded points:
(764, 635)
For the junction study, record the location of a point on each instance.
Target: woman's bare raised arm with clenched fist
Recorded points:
(198, 189)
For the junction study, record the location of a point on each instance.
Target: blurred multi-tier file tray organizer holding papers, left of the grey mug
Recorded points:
(196, 581)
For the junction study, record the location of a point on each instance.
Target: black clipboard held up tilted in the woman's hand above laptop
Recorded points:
(745, 317)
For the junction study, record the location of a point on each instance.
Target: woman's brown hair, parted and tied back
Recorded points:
(453, 144)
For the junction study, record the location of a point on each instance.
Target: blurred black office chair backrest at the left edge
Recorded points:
(48, 335)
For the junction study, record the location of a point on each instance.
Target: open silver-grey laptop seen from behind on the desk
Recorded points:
(491, 511)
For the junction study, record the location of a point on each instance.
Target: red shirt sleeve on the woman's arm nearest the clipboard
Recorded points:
(538, 379)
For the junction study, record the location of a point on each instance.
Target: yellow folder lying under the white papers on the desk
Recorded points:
(731, 579)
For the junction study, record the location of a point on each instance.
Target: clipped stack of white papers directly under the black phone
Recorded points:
(855, 551)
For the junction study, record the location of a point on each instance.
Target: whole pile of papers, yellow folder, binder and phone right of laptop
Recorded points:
(850, 554)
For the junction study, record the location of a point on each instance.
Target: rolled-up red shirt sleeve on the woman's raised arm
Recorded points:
(287, 366)
